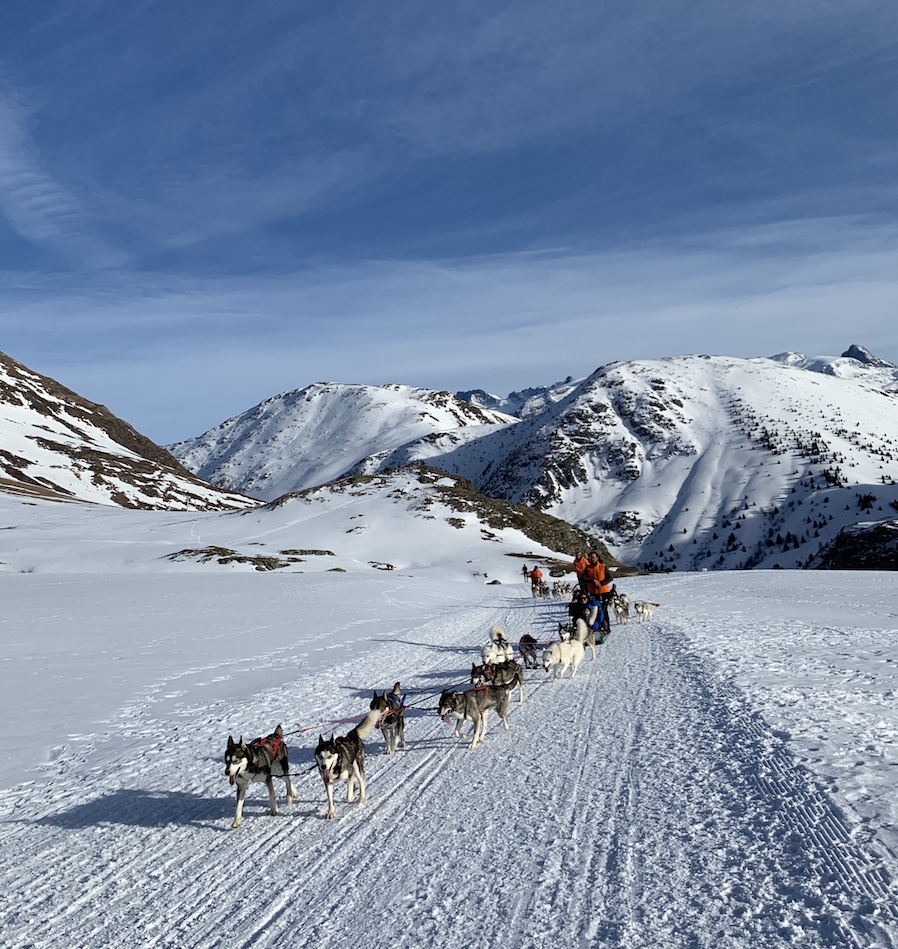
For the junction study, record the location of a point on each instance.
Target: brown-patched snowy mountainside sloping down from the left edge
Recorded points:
(54, 443)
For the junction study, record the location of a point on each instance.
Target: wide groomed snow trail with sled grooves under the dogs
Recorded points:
(641, 804)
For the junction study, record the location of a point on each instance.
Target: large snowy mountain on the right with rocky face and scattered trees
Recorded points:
(697, 461)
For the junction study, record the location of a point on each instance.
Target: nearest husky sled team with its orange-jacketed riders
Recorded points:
(492, 681)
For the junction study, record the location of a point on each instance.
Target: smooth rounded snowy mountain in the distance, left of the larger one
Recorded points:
(314, 435)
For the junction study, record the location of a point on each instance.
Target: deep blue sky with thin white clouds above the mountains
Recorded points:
(204, 204)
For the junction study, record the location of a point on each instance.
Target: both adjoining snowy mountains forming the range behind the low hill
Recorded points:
(688, 462)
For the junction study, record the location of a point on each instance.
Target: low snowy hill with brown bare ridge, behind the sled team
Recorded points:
(404, 520)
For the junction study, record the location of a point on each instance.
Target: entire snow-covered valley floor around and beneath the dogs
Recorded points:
(723, 776)
